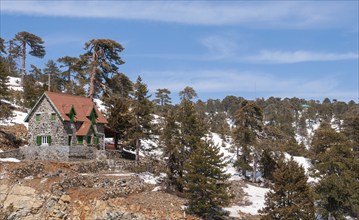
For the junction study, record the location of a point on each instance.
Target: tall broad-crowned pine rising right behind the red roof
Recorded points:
(103, 58)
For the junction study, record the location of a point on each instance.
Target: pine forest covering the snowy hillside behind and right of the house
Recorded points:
(261, 130)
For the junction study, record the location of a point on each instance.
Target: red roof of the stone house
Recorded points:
(83, 107)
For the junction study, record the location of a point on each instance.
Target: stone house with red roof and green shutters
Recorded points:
(59, 119)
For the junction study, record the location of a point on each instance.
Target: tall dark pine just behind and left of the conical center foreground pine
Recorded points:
(182, 133)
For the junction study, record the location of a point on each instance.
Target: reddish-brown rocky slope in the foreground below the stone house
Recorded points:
(49, 190)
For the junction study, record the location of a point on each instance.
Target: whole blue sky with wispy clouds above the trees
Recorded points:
(253, 49)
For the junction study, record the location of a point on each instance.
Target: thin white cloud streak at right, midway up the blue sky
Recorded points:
(278, 57)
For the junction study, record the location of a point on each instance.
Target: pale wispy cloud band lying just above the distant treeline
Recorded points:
(232, 82)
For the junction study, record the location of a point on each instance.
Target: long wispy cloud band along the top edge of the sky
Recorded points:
(265, 14)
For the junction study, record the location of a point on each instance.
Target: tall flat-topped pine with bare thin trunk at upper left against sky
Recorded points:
(36, 48)
